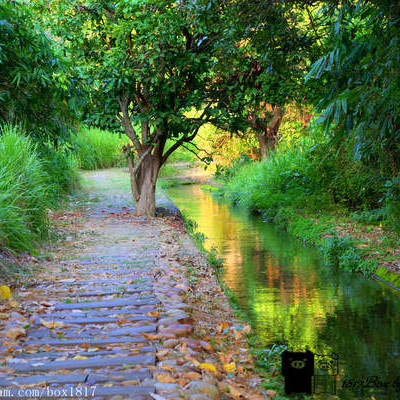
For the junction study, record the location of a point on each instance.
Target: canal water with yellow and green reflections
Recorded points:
(291, 298)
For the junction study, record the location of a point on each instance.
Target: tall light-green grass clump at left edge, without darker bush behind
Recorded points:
(25, 192)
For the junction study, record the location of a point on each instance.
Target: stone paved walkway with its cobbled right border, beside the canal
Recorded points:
(98, 322)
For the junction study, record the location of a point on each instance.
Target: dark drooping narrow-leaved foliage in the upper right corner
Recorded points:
(359, 77)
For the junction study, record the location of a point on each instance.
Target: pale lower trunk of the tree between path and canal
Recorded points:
(143, 184)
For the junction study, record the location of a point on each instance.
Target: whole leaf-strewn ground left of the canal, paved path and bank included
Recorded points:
(114, 313)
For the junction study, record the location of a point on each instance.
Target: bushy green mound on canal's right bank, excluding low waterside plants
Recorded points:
(305, 174)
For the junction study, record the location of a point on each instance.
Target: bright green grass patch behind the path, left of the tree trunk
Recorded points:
(95, 148)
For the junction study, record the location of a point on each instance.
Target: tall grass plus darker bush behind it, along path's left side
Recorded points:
(32, 181)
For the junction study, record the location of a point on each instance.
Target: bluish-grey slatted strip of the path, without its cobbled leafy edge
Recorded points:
(94, 318)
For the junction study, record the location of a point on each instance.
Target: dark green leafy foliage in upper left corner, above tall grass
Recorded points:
(34, 88)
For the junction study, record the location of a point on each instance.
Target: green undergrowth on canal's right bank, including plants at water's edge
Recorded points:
(302, 183)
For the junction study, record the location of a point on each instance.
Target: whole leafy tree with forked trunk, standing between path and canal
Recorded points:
(158, 70)
